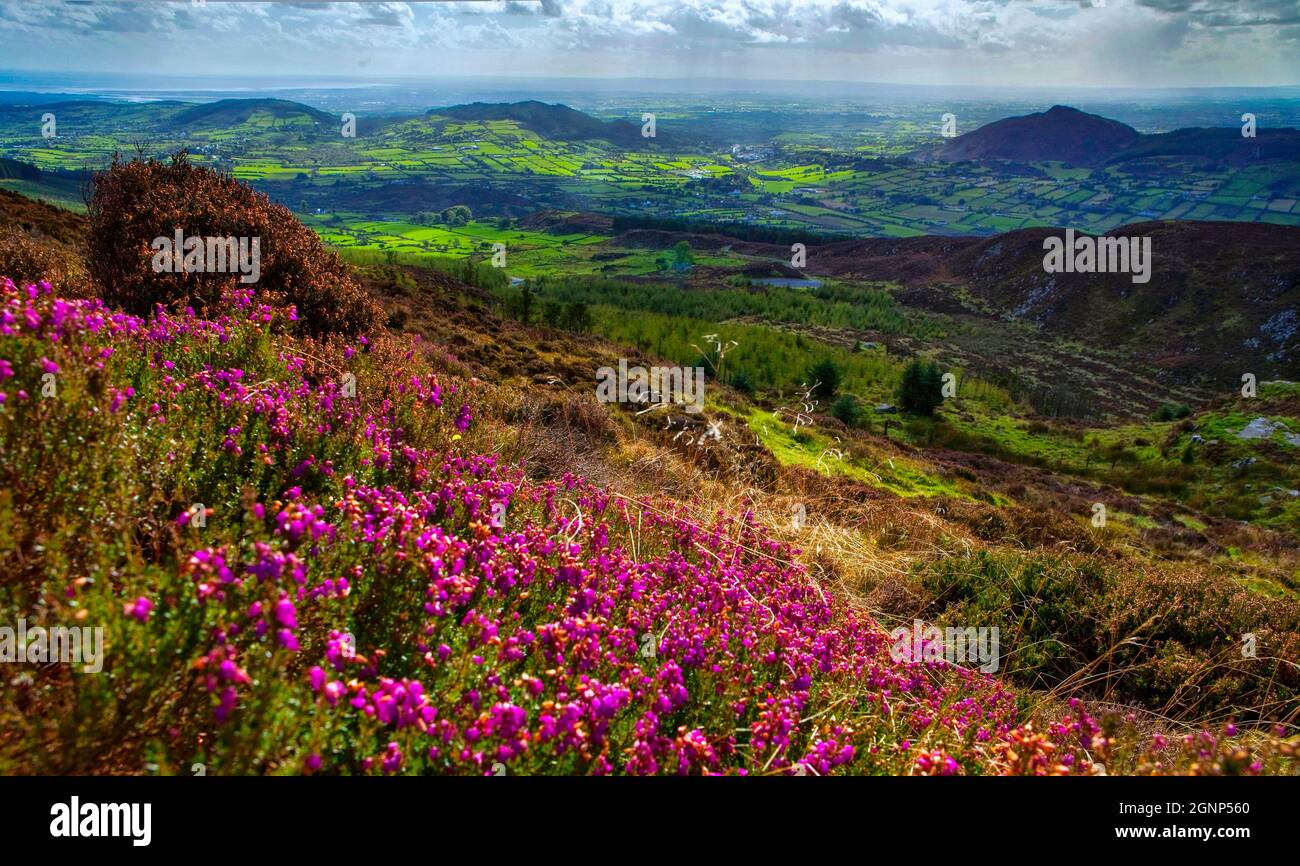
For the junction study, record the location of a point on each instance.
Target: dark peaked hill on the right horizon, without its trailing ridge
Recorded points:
(1059, 135)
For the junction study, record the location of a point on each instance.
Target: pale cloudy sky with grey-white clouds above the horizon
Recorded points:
(941, 42)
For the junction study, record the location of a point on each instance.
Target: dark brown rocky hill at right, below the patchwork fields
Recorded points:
(1224, 298)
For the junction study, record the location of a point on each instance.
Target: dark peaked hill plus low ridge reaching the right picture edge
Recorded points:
(1068, 136)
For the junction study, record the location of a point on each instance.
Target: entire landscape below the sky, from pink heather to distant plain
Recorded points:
(369, 508)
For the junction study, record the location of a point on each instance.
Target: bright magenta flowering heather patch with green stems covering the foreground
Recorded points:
(297, 577)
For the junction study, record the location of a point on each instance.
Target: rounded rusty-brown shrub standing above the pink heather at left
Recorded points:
(136, 202)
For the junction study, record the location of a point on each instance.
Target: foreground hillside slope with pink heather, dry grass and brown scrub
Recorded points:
(431, 551)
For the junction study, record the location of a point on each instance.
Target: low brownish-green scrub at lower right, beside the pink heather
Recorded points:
(1155, 636)
